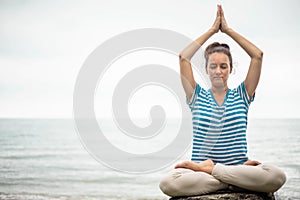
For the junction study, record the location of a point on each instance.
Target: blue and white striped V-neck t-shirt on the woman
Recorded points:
(219, 132)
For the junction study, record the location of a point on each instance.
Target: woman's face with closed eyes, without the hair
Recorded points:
(218, 69)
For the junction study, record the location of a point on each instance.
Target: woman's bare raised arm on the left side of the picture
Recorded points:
(186, 72)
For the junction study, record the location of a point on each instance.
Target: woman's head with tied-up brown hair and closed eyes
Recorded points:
(218, 63)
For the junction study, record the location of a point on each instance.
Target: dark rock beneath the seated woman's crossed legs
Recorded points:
(230, 195)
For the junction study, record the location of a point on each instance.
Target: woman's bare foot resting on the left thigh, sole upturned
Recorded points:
(205, 166)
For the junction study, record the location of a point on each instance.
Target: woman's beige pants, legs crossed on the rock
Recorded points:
(186, 182)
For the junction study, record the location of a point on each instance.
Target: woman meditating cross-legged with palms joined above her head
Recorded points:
(219, 157)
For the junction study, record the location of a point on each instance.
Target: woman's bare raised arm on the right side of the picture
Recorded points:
(255, 54)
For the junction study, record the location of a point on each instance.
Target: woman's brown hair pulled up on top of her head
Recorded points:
(220, 48)
